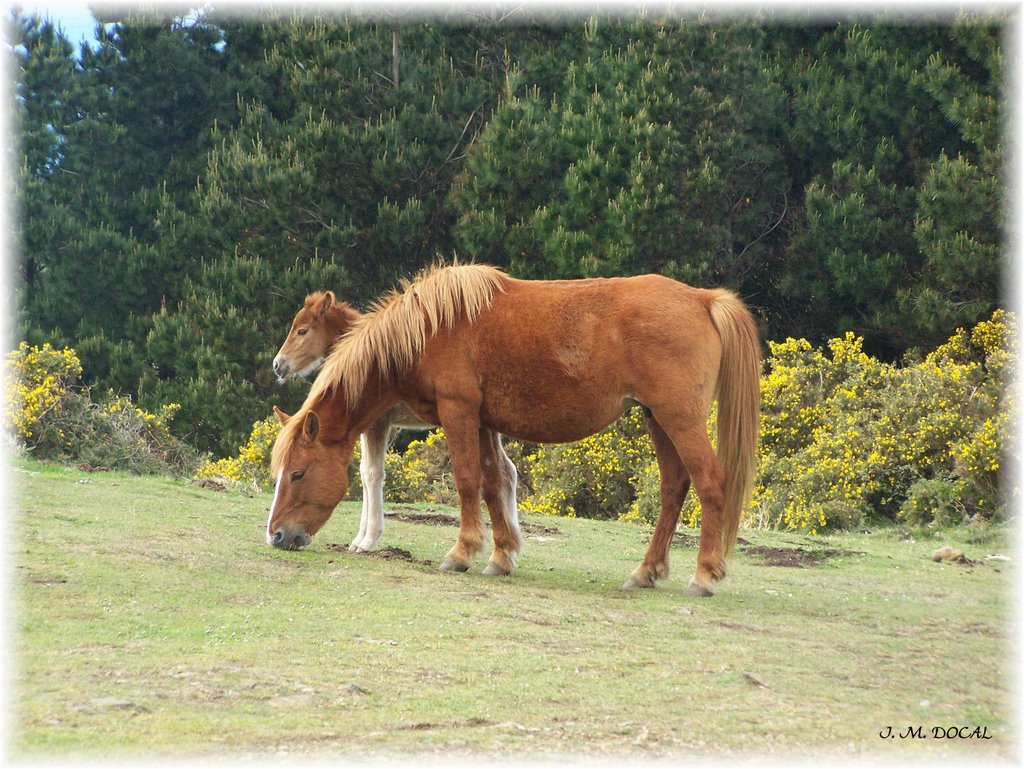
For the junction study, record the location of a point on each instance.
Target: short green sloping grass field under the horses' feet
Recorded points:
(151, 619)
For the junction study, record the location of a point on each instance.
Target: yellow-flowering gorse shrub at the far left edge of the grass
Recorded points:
(56, 418)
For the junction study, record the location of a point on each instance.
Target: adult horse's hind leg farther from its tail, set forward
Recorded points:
(675, 485)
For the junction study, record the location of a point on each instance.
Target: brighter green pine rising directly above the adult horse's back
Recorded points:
(661, 136)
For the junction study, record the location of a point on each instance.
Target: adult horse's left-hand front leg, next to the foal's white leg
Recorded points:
(462, 433)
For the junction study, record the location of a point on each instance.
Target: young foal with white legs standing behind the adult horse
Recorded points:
(321, 322)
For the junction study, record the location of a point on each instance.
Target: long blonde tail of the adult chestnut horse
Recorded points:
(739, 407)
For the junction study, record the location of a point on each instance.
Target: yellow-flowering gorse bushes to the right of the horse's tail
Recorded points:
(847, 436)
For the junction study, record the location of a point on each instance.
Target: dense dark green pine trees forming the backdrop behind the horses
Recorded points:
(184, 183)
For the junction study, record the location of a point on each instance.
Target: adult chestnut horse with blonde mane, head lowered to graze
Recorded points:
(547, 362)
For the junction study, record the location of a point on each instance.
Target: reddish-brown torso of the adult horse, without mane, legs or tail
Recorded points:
(554, 361)
